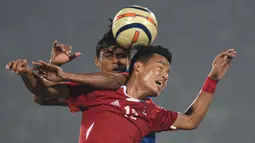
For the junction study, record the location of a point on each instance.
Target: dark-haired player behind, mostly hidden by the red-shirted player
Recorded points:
(110, 59)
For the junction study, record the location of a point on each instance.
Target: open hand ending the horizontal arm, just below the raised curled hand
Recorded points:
(49, 71)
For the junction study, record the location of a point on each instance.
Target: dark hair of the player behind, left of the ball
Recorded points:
(107, 40)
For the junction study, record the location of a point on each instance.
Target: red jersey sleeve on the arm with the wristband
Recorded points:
(164, 119)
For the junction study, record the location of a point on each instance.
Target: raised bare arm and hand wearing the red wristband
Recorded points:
(195, 113)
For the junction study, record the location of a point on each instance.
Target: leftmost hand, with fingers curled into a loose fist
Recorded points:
(19, 66)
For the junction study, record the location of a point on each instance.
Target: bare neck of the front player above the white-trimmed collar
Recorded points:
(134, 89)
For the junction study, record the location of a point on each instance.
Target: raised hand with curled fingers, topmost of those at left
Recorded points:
(61, 54)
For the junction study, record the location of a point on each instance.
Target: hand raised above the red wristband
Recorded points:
(221, 64)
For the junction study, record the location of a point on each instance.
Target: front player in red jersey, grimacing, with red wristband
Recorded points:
(126, 115)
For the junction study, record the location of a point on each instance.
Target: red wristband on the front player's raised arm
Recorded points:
(209, 85)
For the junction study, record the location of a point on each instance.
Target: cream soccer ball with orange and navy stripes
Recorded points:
(134, 25)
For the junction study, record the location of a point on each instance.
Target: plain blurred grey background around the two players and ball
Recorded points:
(195, 31)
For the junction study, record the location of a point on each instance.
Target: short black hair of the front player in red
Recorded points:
(144, 53)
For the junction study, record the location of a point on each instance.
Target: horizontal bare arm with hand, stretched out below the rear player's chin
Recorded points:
(96, 80)
